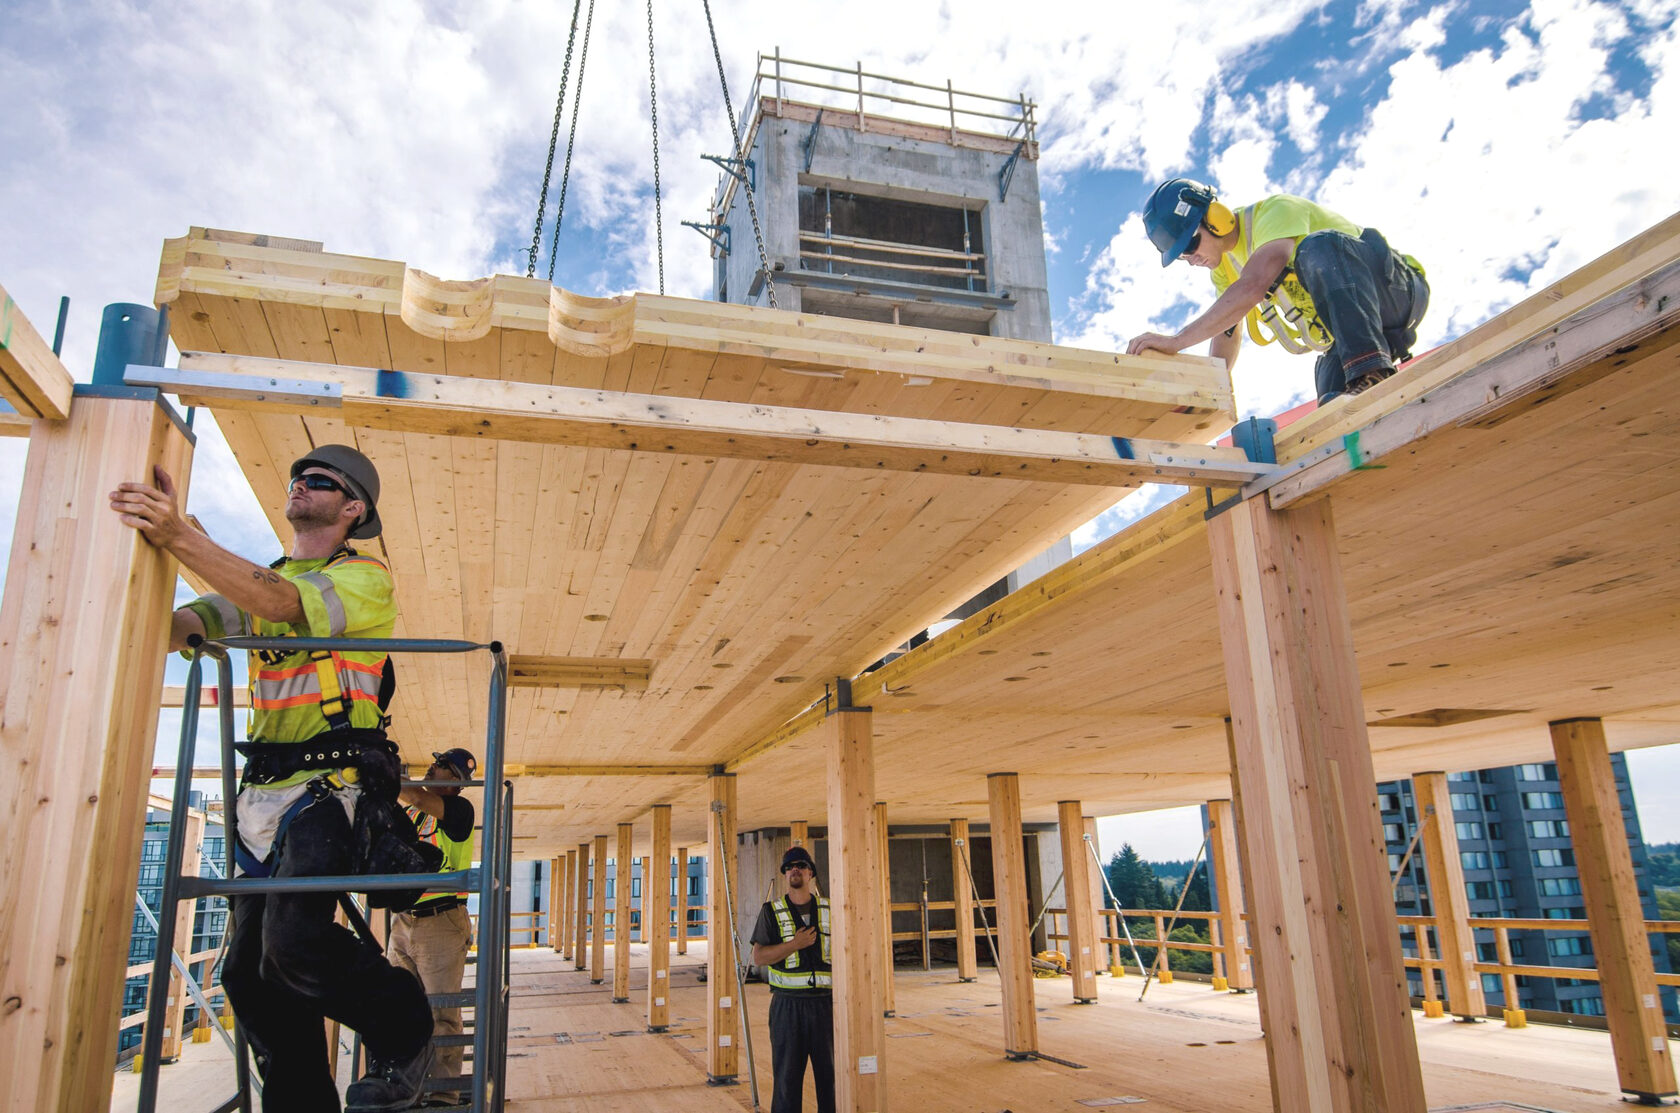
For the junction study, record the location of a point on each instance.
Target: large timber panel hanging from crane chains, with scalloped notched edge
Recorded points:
(745, 584)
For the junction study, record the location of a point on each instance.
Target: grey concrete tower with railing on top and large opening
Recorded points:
(886, 199)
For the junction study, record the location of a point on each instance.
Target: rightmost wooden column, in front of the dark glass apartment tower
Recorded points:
(1615, 919)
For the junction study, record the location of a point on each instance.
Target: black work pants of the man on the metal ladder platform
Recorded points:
(290, 966)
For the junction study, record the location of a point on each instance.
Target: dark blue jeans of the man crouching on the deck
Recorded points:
(1368, 298)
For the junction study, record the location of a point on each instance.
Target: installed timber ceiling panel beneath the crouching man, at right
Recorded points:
(1499, 572)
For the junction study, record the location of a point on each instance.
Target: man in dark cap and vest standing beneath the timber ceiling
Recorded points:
(792, 941)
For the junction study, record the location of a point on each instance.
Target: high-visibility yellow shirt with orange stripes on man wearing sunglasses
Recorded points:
(344, 594)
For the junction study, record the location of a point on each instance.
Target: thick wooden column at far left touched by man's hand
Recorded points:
(83, 636)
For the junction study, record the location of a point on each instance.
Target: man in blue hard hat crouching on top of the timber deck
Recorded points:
(1299, 275)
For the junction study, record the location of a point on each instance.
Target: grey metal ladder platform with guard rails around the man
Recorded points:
(490, 880)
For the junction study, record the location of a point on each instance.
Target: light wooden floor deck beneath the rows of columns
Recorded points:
(1182, 1050)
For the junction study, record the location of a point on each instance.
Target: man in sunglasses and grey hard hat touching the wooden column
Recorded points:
(288, 964)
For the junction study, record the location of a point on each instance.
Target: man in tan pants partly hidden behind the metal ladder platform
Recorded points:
(433, 939)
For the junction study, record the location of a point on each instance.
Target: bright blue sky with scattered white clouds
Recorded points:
(1504, 145)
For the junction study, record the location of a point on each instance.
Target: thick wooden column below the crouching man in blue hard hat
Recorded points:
(1333, 989)
